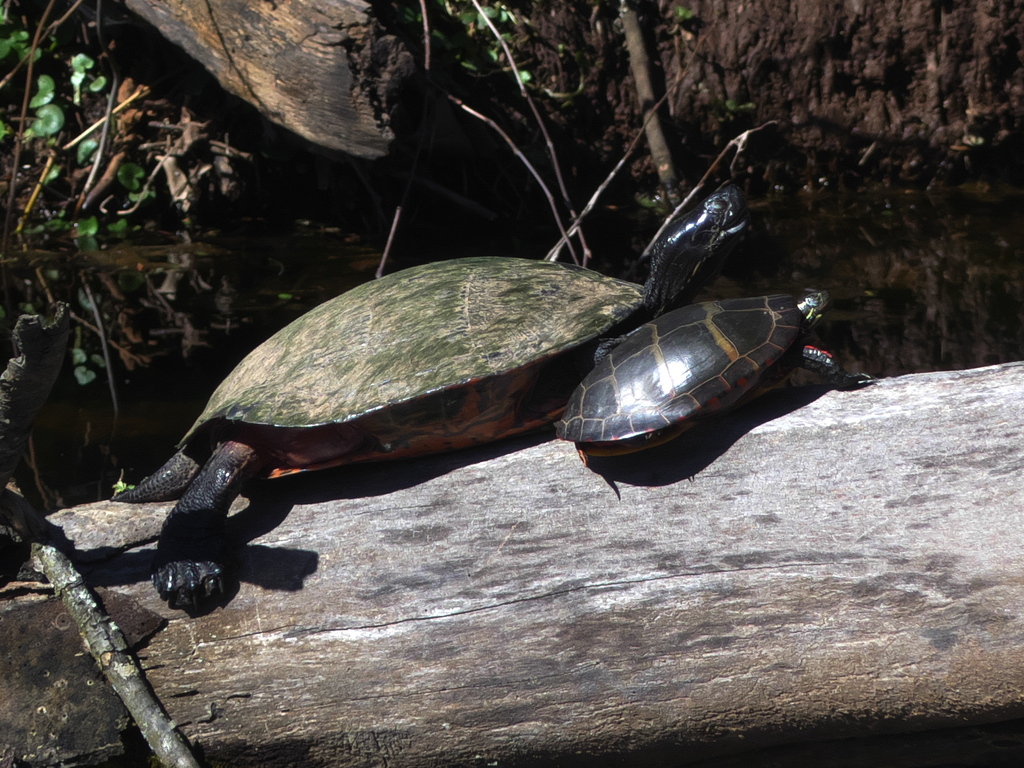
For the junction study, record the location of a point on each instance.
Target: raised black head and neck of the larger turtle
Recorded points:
(692, 251)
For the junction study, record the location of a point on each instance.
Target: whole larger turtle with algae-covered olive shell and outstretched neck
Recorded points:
(433, 359)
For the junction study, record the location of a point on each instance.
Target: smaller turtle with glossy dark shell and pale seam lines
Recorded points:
(693, 363)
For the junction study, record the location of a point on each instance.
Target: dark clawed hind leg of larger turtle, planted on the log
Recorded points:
(189, 565)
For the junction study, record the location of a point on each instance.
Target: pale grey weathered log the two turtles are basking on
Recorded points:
(851, 567)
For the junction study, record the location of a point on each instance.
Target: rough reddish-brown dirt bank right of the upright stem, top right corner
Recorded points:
(873, 90)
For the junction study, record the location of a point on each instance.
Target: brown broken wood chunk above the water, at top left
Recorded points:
(324, 70)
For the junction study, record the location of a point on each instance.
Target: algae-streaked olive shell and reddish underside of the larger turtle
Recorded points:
(434, 358)
